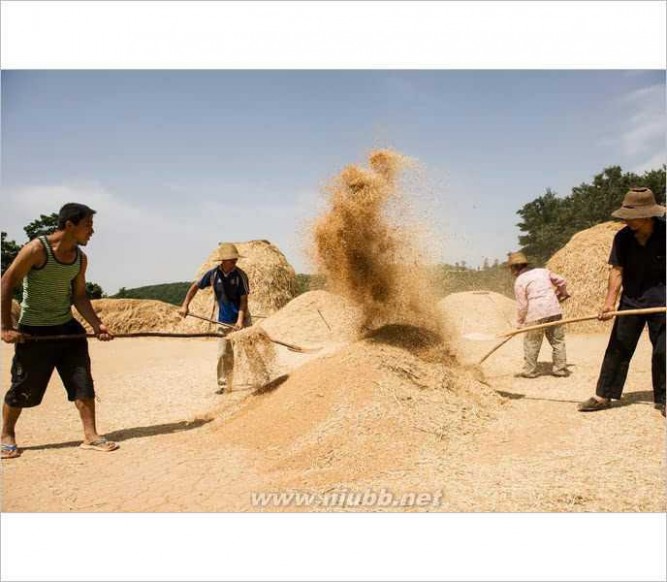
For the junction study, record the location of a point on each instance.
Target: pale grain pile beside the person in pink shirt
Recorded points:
(474, 312)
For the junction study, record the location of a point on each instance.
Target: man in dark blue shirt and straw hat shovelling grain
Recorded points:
(231, 289)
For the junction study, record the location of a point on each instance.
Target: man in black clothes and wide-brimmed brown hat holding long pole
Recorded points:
(637, 262)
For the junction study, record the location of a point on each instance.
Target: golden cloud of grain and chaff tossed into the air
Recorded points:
(364, 256)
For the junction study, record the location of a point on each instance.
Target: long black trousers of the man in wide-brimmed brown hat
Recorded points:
(622, 343)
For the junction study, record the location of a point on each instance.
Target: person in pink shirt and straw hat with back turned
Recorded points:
(539, 293)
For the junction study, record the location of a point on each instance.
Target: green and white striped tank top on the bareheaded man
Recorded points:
(47, 290)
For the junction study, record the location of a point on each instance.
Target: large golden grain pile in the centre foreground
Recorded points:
(363, 414)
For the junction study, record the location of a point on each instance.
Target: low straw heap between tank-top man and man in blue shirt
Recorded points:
(134, 315)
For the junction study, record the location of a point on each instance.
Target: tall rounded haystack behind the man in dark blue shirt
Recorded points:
(272, 283)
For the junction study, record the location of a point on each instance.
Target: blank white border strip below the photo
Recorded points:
(466, 547)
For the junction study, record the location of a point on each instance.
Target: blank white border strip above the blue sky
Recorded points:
(333, 34)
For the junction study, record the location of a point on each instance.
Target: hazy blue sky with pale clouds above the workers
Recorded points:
(176, 161)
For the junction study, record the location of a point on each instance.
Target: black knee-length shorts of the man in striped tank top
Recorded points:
(34, 362)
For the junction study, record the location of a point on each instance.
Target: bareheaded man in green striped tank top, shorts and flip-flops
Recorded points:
(53, 272)
